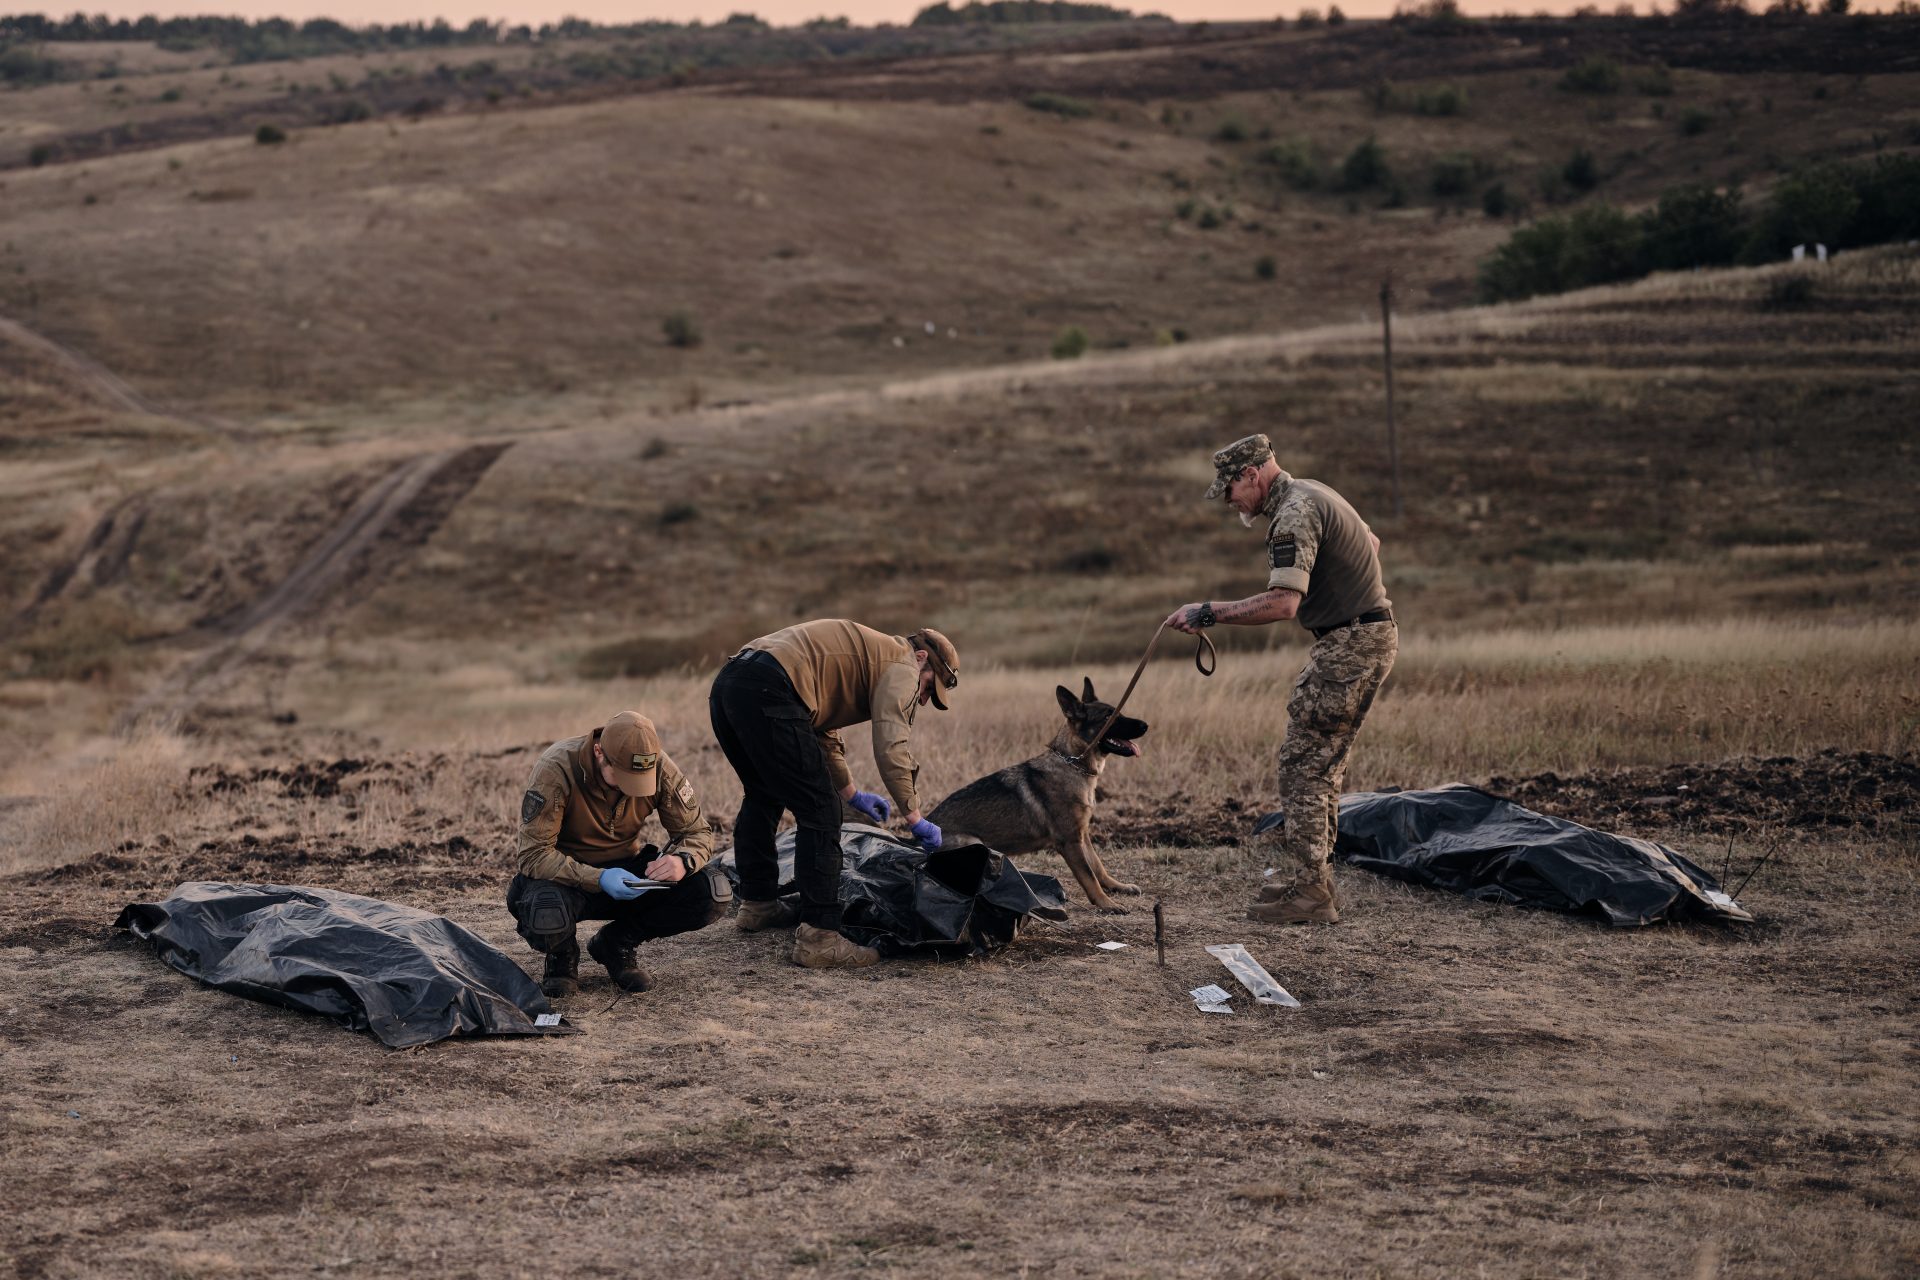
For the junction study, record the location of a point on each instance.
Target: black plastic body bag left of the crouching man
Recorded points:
(406, 976)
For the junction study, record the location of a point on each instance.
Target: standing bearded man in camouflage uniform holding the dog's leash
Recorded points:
(1326, 573)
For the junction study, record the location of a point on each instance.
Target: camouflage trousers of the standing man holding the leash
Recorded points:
(1324, 715)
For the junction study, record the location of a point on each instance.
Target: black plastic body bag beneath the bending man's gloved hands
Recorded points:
(901, 899)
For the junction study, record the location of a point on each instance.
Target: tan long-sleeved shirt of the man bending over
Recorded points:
(850, 675)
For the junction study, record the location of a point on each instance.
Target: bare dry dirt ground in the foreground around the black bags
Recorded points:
(1466, 1091)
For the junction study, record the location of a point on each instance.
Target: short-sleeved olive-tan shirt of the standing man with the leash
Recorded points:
(1320, 548)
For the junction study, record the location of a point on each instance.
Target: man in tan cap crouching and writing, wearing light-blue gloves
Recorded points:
(581, 855)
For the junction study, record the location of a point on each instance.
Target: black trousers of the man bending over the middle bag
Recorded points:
(769, 738)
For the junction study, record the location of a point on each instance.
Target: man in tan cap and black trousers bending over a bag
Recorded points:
(777, 711)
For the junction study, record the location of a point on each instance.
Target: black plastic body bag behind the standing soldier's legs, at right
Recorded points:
(1489, 849)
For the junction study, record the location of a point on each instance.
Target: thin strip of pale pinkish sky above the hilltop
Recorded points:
(780, 12)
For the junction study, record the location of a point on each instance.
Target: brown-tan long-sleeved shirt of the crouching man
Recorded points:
(573, 824)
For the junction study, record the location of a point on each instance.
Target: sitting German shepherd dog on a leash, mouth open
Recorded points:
(1047, 801)
